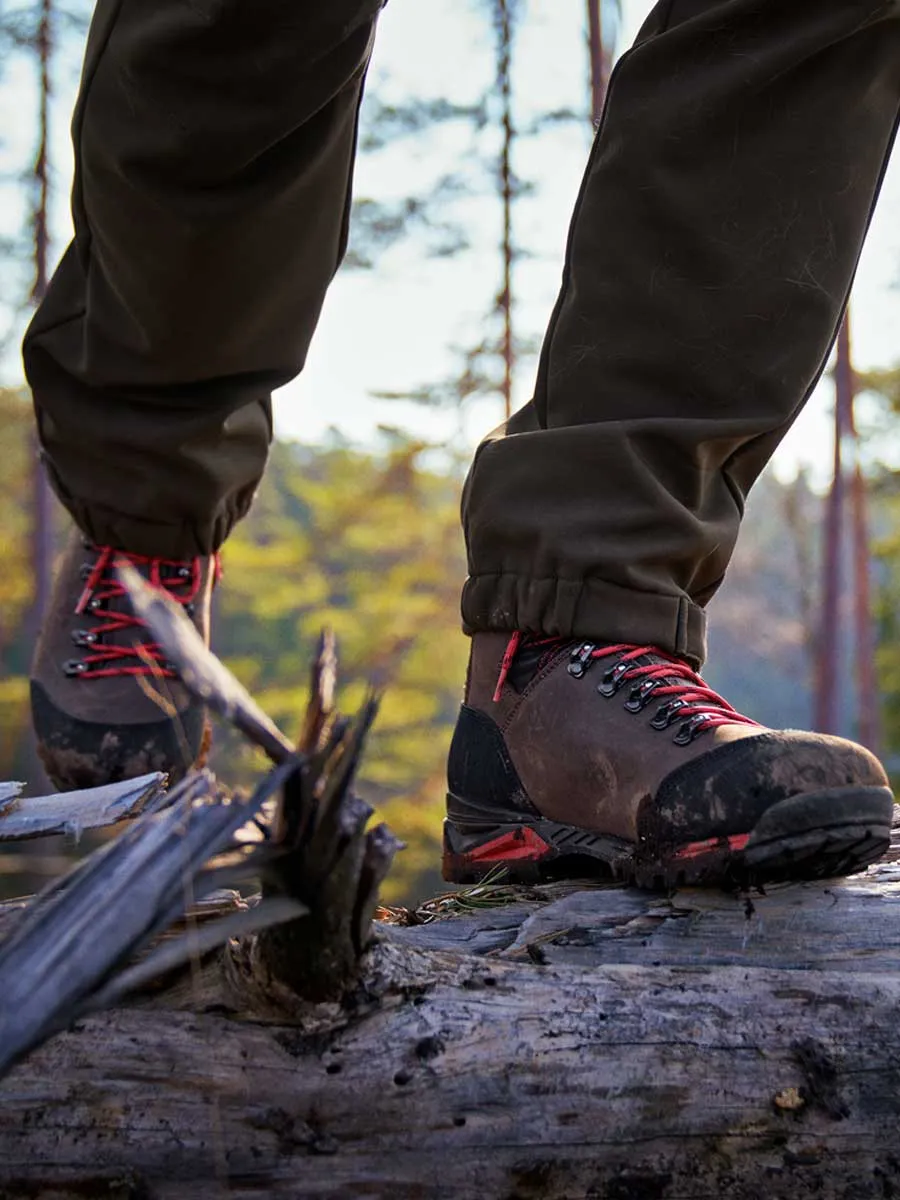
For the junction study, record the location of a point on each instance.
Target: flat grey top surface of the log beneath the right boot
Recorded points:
(847, 926)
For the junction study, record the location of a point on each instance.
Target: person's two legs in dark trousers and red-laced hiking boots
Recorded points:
(710, 260)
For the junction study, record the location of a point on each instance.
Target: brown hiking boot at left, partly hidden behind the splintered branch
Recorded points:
(105, 704)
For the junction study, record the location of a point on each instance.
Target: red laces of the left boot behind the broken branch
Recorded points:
(183, 580)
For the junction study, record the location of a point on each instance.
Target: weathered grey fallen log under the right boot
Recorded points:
(577, 1043)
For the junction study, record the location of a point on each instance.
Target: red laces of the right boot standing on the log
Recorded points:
(685, 695)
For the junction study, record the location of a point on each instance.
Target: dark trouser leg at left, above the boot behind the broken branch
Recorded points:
(214, 152)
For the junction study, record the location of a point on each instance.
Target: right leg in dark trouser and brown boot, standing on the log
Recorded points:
(710, 260)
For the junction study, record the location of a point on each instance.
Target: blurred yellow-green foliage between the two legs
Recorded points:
(369, 545)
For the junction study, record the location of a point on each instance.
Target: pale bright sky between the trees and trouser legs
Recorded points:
(395, 328)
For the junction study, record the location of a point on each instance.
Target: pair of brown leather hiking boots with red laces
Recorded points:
(569, 757)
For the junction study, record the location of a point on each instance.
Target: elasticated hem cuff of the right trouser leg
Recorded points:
(591, 609)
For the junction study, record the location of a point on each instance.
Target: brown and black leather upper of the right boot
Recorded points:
(586, 760)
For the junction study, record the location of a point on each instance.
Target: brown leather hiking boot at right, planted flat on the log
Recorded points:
(577, 759)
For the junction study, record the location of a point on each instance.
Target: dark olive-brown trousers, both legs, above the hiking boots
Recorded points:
(710, 260)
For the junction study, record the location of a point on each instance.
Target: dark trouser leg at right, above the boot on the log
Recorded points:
(711, 255)
